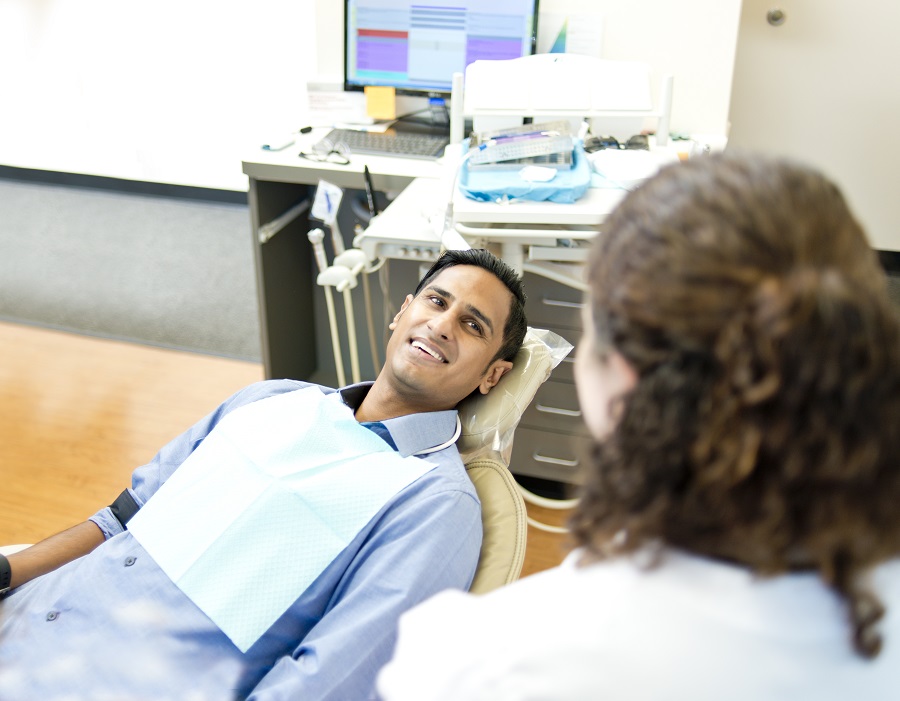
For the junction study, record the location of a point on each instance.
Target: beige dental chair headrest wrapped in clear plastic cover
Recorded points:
(488, 420)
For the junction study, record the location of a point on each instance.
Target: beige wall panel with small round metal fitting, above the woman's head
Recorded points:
(820, 88)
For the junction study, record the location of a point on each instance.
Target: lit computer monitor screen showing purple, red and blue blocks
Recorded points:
(416, 47)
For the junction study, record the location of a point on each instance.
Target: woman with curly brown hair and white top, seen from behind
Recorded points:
(739, 524)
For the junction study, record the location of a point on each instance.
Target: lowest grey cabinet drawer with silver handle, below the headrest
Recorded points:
(548, 455)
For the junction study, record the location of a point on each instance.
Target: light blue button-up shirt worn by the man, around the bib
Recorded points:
(112, 624)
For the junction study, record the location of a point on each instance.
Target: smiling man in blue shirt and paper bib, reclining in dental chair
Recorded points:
(268, 551)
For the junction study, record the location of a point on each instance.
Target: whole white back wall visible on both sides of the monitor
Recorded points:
(178, 91)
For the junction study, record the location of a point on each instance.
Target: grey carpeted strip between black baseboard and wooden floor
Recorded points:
(159, 270)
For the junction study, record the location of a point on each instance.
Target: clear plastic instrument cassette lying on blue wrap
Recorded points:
(517, 143)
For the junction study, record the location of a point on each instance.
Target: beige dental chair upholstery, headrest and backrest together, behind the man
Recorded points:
(488, 422)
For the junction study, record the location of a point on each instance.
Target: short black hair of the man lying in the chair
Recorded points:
(516, 323)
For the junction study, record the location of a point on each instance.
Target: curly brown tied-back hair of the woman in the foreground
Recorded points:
(763, 428)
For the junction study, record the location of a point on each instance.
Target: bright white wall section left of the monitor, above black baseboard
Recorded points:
(165, 91)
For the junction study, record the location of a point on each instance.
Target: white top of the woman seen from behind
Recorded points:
(690, 629)
